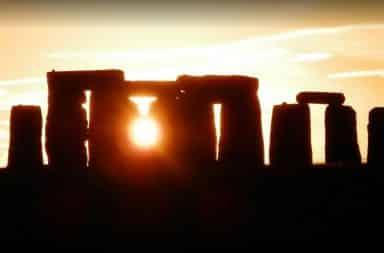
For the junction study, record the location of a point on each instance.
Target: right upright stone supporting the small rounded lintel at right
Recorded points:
(341, 135)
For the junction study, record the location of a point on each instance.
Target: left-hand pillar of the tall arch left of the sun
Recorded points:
(66, 127)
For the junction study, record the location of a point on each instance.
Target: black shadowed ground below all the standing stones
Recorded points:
(217, 209)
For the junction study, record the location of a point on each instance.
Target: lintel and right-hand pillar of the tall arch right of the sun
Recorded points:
(241, 138)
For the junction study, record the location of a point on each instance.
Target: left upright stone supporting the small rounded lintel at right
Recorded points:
(290, 146)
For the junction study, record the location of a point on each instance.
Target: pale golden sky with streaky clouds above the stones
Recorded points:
(290, 46)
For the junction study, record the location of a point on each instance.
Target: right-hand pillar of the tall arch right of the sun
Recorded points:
(241, 141)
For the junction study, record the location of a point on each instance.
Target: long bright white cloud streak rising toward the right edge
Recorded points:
(255, 45)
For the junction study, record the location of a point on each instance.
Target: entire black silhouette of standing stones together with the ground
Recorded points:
(176, 191)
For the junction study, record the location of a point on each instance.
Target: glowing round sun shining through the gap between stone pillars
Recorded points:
(144, 132)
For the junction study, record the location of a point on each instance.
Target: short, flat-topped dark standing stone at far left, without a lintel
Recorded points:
(25, 138)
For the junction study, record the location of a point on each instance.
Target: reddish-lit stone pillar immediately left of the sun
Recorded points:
(108, 134)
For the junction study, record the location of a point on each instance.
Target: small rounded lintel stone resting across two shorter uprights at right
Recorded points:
(320, 98)
